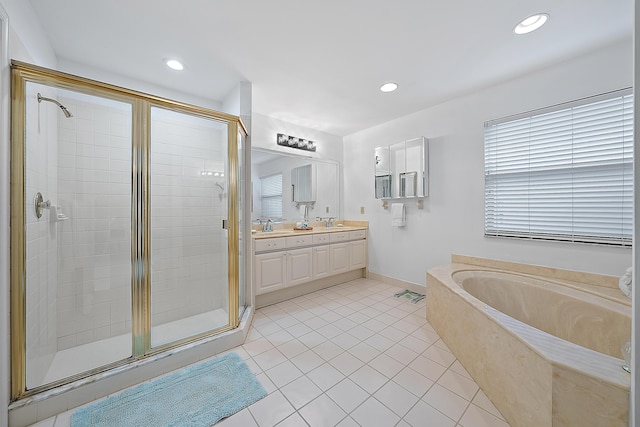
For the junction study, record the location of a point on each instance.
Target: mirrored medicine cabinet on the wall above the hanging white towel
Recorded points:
(402, 169)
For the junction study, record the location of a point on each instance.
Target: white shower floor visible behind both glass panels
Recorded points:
(82, 358)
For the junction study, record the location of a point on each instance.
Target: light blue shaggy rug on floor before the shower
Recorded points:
(195, 396)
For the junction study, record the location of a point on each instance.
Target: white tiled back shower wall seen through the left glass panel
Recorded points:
(94, 262)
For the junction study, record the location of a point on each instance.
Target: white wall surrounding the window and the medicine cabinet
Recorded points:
(452, 220)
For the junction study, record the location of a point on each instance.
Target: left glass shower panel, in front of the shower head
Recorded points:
(77, 218)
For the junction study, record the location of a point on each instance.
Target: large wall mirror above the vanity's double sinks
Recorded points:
(281, 182)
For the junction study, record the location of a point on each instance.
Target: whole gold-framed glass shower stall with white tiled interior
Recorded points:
(125, 222)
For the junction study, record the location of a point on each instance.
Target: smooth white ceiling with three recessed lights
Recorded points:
(320, 64)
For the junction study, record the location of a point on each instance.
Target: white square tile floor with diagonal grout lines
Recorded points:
(353, 355)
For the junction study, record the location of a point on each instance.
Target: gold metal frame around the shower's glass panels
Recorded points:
(141, 104)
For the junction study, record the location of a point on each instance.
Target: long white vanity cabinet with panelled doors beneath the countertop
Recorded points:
(282, 262)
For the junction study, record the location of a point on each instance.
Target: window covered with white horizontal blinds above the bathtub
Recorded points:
(563, 173)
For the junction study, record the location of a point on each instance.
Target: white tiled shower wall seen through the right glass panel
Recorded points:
(188, 266)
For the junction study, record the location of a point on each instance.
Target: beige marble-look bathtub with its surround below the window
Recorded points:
(543, 344)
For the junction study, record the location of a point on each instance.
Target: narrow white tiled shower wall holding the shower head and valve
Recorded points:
(41, 237)
